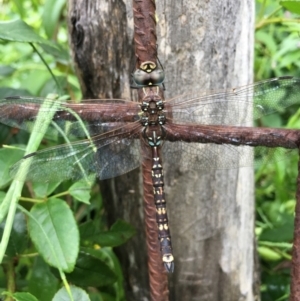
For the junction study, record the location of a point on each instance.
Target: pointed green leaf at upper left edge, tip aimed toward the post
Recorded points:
(19, 31)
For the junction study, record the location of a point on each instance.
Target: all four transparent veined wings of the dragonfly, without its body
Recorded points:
(113, 153)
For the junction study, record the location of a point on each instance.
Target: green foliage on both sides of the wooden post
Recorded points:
(22, 72)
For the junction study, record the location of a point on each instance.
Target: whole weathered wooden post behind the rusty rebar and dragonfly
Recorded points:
(202, 45)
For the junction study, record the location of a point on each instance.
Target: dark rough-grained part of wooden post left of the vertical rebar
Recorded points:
(101, 39)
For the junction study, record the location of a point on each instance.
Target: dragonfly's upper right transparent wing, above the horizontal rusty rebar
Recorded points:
(239, 106)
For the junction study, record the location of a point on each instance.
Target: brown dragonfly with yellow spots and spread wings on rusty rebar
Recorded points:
(111, 131)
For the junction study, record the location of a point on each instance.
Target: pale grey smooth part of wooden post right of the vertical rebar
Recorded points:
(209, 45)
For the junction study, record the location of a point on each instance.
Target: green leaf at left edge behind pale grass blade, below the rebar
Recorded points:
(8, 157)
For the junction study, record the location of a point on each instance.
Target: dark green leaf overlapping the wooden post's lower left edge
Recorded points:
(118, 234)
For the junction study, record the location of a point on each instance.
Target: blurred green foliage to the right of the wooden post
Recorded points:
(276, 54)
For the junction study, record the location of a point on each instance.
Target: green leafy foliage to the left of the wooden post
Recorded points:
(64, 238)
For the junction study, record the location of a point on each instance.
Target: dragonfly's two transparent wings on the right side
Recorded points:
(235, 107)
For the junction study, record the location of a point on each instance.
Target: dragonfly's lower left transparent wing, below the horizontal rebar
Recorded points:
(108, 155)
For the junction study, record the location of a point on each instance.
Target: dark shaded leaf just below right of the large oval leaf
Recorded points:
(91, 270)
